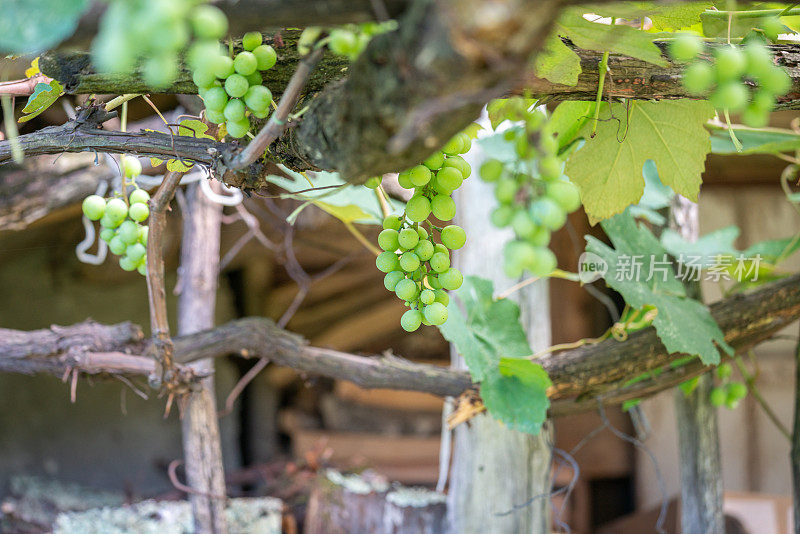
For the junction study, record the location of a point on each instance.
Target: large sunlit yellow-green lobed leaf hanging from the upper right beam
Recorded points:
(608, 168)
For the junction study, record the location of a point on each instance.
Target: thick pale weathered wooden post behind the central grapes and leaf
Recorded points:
(500, 478)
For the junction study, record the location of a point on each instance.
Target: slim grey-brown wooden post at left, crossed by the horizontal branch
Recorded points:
(196, 305)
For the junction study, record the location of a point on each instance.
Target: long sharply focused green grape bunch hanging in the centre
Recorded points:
(418, 269)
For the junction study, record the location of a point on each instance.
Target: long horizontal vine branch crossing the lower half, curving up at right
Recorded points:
(581, 377)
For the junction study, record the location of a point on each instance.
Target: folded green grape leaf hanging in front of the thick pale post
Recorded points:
(491, 340)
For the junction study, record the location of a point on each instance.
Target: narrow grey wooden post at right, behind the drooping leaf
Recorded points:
(698, 433)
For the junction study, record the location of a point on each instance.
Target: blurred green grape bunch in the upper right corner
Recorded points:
(740, 79)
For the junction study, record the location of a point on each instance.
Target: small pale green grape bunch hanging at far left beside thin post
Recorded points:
(122, 222)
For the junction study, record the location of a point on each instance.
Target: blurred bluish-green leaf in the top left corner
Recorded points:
(28, 26)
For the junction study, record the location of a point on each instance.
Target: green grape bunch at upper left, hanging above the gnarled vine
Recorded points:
(231, 87)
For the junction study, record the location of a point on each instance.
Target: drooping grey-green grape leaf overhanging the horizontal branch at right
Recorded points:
(684, 325)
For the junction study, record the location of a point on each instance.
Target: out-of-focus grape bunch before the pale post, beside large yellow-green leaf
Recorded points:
(533, 197)
